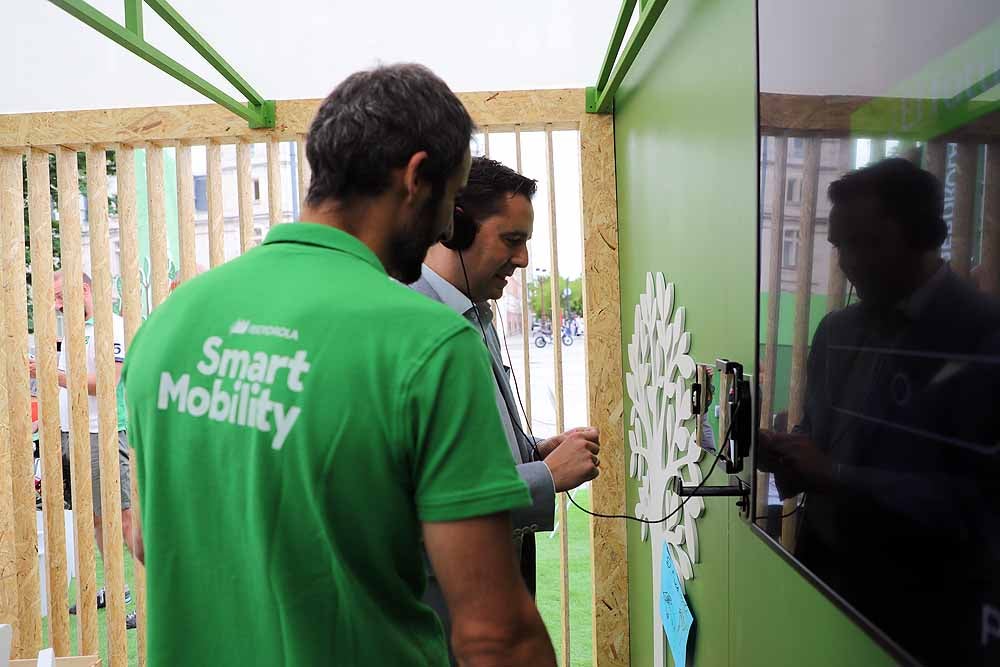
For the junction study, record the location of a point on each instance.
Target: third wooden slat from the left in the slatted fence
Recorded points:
(75, 344)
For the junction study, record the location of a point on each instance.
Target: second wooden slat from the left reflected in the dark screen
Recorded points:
(803, 295)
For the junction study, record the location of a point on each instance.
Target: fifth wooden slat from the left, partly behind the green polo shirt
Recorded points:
(132, 316)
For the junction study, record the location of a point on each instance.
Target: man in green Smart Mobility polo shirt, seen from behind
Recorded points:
(302, 422)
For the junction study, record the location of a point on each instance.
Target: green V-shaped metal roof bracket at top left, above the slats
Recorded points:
(257, 111)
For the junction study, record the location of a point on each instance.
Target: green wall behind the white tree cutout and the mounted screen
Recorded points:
(687, 175)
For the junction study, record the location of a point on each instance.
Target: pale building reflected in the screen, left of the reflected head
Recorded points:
(835, 159)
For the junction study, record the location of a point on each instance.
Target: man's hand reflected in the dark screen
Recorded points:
(797, 463)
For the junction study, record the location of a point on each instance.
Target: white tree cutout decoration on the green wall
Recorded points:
(661, 446)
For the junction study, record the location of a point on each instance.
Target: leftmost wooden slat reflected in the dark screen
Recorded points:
(773, 306)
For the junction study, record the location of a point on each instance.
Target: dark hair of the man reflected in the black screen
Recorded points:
(913, 197)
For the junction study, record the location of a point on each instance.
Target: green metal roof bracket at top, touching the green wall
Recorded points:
(601, 98)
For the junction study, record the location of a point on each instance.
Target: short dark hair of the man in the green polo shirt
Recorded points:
(374, 122)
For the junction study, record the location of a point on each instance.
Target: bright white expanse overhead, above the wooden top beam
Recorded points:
(297, 49)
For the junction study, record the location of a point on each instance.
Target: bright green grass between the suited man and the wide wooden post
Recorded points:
(581, 601)
